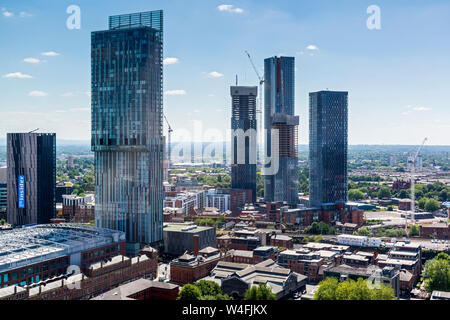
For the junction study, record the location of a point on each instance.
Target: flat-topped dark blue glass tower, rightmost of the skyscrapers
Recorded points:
(328, 144)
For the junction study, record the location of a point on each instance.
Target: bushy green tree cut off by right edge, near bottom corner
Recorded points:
(436, 273)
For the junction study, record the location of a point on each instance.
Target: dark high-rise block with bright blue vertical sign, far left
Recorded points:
(31, 178)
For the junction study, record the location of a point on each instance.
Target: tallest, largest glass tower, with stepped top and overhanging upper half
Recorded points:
(127, 109)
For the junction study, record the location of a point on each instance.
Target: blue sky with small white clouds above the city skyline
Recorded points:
(397, 77)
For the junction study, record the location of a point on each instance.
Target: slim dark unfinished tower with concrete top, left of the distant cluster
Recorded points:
(244, 138)
